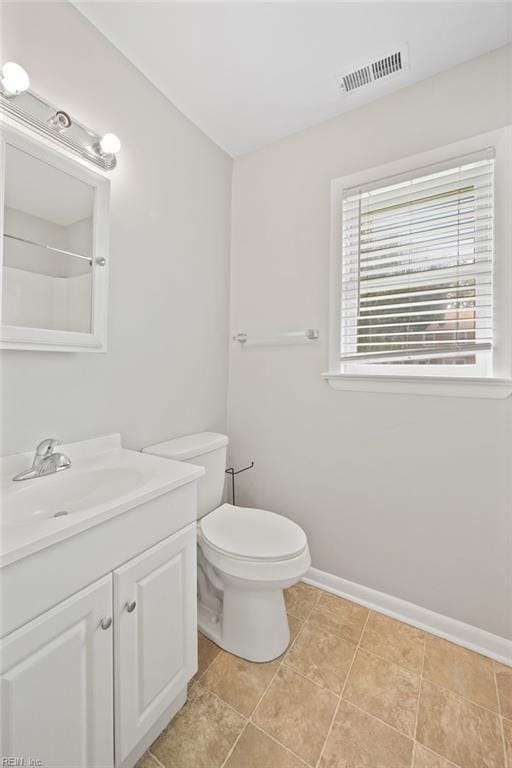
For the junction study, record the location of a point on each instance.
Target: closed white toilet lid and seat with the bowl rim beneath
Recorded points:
(253, 544)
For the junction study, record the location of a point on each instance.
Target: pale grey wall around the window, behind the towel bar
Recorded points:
(409, 495)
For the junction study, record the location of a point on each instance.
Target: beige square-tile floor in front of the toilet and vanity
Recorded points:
(355, 689)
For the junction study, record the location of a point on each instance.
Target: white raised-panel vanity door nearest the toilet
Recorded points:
(155, 640)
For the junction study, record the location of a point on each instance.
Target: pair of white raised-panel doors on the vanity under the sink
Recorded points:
(92, 681)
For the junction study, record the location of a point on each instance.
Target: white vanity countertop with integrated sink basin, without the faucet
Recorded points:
(104, 480)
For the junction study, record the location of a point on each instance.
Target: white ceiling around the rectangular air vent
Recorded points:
(248, 73)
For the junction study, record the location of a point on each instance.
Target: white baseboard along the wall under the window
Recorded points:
(474, 638)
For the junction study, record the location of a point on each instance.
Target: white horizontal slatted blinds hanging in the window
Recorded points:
(417, 266)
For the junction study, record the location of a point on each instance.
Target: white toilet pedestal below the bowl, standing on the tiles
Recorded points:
(253, 623)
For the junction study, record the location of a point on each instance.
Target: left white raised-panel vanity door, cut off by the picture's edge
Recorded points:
(57, 689)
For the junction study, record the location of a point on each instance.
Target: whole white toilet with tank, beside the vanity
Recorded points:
(245, 558)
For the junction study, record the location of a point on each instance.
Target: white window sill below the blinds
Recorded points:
(443, 386)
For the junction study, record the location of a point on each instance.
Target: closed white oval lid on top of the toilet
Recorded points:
(254, 534)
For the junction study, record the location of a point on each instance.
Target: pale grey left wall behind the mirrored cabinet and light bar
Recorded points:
(165, 372)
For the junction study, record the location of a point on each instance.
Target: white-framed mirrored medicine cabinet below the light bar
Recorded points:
(54, 248)
